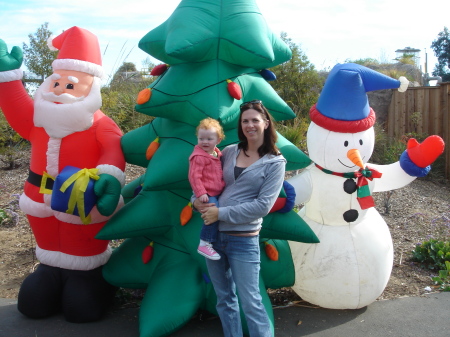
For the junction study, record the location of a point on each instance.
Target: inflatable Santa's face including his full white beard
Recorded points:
(66, 102)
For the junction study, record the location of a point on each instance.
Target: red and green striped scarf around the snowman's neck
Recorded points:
(363, 175)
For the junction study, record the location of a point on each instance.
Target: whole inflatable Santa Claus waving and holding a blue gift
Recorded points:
(76, 174)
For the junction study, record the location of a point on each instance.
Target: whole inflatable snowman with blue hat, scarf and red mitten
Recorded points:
(351, 265)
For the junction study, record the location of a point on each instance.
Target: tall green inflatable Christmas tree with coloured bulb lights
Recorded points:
(216, 55)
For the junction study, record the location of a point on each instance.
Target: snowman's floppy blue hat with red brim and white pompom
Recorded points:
(343, 105)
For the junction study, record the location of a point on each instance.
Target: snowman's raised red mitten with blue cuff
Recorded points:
(416, 159)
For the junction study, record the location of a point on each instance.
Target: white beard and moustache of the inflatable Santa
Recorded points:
(60, 120)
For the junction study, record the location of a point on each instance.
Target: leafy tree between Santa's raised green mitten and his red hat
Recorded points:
(38, 57)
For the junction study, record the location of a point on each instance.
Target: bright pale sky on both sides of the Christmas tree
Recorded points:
(327, 31)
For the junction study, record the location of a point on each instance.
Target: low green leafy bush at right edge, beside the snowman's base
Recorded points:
(432, 254)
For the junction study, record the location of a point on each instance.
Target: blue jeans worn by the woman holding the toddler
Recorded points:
(238, 269)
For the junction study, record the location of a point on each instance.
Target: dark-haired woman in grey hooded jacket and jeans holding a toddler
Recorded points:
(253, 172)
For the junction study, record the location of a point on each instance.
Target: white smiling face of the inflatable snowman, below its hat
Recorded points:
(331, 149)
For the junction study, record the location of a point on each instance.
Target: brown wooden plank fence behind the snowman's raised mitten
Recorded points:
(422, 110)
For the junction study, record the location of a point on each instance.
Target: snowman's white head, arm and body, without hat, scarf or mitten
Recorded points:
(351, 265)
